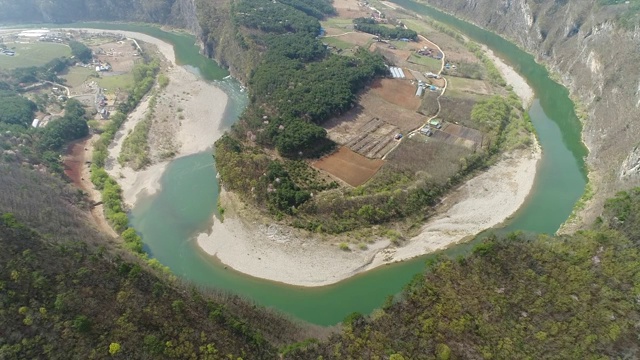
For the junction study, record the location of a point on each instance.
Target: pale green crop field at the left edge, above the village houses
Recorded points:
(33, 54)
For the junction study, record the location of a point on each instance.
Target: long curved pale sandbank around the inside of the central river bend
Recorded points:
(282, 254)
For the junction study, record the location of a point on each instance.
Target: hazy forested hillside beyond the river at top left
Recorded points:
(175, 12)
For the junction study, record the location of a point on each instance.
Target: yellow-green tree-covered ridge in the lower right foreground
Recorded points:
(515, 297)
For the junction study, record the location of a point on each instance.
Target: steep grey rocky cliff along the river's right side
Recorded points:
(595, 52)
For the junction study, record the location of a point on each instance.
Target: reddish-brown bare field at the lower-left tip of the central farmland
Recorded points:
(348, 166)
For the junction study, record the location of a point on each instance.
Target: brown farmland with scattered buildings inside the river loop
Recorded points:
(419, 116)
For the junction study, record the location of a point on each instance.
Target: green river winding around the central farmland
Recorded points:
(169, 220)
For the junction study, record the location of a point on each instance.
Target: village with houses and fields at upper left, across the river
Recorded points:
(99, 84)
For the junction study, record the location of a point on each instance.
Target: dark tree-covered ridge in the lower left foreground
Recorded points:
(66, 300)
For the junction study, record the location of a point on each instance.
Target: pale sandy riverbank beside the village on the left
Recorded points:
(194, 121)
